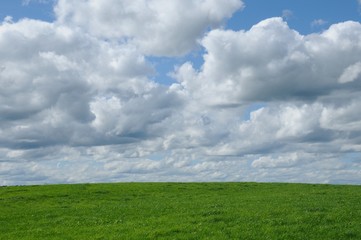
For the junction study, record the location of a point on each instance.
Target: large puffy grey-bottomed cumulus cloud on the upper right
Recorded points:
(273, 62)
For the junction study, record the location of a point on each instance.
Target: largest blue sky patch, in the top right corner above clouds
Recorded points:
(300, 15)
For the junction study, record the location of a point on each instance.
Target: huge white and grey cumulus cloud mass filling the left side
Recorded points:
(58, 78)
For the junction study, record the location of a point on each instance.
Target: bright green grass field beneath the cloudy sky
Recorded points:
(181, 211)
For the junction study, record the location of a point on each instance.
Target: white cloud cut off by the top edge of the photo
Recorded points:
(161, 28)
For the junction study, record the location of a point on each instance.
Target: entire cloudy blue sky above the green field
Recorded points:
(181, 90)
